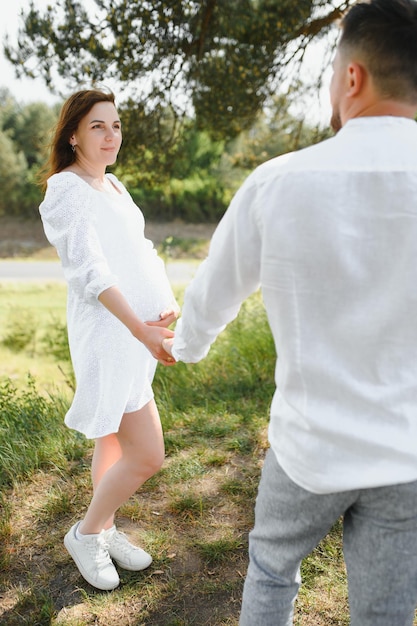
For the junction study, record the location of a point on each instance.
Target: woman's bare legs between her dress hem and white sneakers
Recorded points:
(138, 456)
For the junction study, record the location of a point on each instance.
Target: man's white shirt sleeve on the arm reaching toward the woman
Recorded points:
(230, 273)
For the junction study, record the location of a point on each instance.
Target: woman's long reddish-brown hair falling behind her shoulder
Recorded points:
(73, 110)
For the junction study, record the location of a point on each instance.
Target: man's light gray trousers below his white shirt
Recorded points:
(379, 543)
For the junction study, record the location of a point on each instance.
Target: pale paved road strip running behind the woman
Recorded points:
(179, 272)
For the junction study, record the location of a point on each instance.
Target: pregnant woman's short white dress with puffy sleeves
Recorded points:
(100, 240)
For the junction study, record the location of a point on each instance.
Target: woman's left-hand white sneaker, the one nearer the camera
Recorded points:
(91, 555)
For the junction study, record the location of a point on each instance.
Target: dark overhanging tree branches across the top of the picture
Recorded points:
(217, 61)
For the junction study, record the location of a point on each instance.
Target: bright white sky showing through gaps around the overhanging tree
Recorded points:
(27, 90)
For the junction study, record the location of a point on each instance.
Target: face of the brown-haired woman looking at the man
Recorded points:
(98, 137)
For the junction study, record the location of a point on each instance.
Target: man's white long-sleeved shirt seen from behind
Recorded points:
(329, 234)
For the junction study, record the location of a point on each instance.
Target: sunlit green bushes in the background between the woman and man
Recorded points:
(207, 172)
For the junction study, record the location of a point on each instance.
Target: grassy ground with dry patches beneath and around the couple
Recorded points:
(193, 516)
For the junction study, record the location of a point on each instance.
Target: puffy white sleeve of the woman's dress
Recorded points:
(67, 213)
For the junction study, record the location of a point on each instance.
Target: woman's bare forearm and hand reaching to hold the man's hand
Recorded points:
(149, 334)
